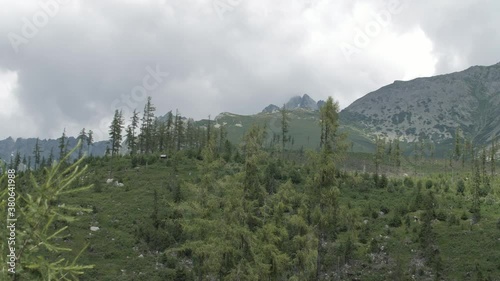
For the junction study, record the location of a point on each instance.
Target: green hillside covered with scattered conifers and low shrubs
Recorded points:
(174, 199)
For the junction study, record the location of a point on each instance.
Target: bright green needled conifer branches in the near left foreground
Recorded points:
(44, 221)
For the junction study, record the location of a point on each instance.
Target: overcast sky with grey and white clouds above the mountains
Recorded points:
(71, 63)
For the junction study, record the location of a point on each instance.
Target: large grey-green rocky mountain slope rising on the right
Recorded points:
(433, 107)
